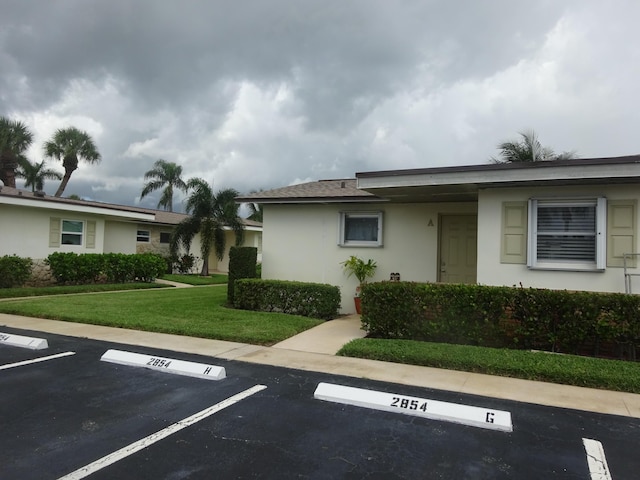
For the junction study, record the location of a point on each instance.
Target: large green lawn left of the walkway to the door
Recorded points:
(196, 312)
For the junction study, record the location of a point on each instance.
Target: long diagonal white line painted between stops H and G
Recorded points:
(161, 434)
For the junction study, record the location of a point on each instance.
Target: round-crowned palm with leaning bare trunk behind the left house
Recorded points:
(70, 145)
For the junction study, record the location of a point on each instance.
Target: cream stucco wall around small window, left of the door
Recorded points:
(300, 242)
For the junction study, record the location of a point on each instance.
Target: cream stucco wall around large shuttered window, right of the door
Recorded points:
(492, 272)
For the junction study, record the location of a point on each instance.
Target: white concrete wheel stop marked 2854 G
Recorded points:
(419, 407)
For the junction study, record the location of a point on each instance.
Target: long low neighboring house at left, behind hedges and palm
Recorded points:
(35, 225)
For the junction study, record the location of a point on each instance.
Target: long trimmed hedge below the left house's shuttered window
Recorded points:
(74, 269)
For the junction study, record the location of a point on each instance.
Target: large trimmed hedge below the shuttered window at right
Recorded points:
(551, 320)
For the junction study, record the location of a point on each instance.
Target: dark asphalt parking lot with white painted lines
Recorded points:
(75, 416)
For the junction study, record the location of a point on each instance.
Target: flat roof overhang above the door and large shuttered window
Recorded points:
(462, 184)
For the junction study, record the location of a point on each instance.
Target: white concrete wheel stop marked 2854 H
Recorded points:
(179, 367)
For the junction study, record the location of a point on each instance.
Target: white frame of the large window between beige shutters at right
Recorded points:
(598, 264)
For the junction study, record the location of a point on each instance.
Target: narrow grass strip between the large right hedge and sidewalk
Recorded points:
(565, 369)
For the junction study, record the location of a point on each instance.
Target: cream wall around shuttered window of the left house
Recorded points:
(25, 232)
